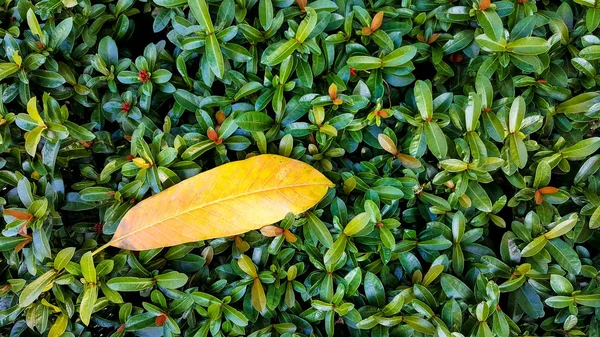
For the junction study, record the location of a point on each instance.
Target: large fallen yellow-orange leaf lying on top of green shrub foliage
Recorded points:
(228, 200)
